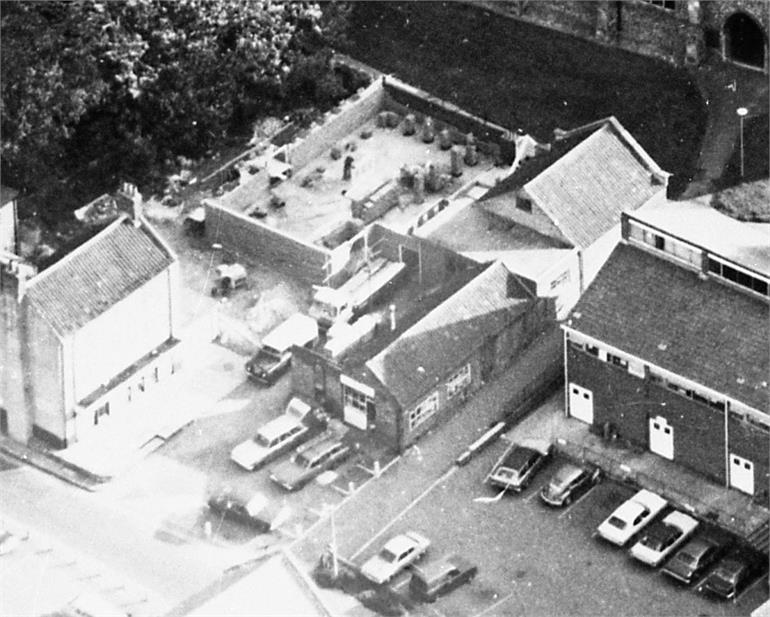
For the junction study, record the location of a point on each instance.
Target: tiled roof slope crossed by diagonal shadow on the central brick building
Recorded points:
(422, 356)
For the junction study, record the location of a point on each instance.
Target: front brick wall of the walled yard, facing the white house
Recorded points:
(245, 236)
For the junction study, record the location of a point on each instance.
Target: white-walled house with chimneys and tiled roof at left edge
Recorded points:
(90, 333)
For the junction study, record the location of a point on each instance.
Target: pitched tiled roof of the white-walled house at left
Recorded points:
(92, 278)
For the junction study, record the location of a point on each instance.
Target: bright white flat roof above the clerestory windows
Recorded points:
(696, 222)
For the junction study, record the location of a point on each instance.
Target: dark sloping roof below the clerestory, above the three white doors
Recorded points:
(698, 328)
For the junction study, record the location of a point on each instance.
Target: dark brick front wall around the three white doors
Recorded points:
(699, 439)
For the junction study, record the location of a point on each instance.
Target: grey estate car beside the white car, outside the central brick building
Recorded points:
(321, 453)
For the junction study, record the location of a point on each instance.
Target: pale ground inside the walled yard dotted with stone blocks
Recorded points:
(313, 201)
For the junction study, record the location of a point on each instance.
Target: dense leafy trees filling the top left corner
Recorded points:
(112, 90)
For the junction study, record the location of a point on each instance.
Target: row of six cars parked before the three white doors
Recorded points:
(659, 534)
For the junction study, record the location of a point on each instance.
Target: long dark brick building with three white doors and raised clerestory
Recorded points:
(668, 347)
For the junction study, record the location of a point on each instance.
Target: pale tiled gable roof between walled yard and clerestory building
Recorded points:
(587, 180)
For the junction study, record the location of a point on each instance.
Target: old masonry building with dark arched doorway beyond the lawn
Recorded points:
(679, 31)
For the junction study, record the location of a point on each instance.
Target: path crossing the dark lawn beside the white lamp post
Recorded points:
(725, 87)
